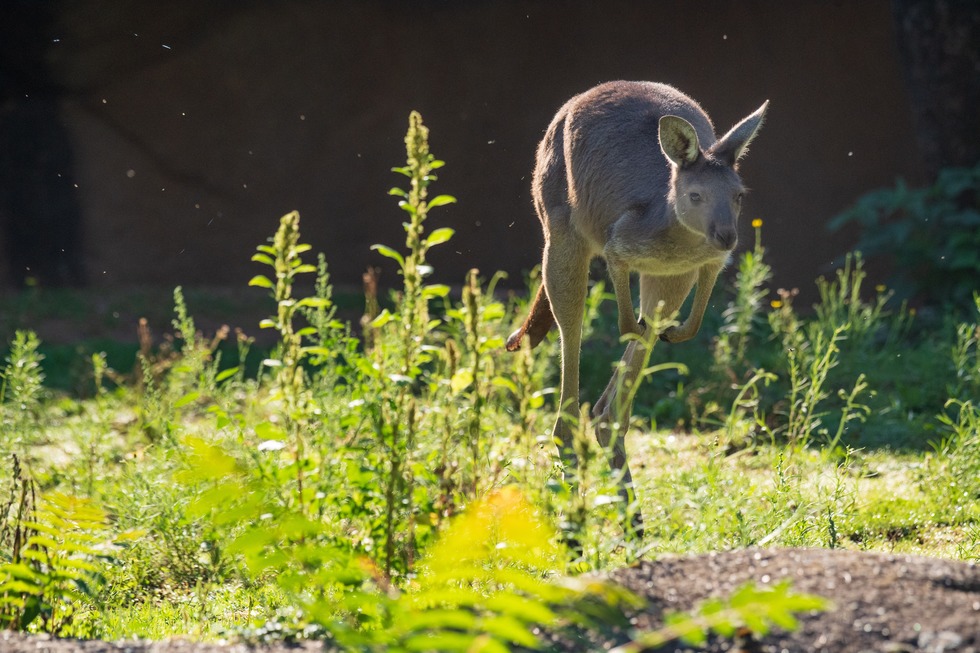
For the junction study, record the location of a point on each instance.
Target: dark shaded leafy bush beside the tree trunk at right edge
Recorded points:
(931, 236)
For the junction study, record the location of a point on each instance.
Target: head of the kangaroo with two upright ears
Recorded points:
(705, 189)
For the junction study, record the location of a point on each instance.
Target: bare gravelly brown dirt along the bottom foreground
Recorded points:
(884, 603)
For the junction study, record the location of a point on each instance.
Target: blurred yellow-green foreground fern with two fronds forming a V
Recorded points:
(483, 583)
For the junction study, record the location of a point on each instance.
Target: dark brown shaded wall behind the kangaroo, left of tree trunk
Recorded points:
(169, 137)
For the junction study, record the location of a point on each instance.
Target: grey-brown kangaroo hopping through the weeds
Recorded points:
(631, 172)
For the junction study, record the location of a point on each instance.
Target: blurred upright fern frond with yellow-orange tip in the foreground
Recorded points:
(482, 585)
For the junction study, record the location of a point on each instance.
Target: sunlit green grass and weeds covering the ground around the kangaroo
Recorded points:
(389, 483)
